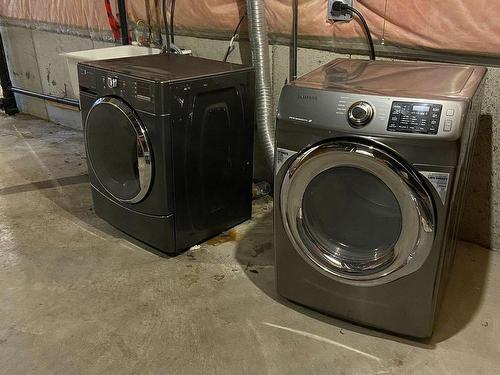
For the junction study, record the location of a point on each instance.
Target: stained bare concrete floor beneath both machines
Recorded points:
(77, 296)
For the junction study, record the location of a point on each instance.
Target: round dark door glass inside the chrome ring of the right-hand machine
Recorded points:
(360, 221)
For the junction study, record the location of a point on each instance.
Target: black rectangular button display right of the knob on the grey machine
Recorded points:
(412, 117)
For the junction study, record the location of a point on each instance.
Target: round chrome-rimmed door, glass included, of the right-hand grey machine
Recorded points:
(357, 213)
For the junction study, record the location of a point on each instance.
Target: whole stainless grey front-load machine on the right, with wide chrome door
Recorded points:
(371, 163)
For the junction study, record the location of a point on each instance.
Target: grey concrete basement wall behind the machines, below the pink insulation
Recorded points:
(35, 64)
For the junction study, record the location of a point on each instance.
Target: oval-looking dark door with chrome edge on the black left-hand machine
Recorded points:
(118, 150)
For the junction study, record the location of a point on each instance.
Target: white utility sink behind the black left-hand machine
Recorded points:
(73, 58)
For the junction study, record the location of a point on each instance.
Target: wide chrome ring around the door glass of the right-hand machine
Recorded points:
(417, 210)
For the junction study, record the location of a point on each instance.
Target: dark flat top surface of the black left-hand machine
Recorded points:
(166, 67)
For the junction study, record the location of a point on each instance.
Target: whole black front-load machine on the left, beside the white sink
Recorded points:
(169, 142)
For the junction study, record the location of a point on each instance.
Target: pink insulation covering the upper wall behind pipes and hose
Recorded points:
(448, 25)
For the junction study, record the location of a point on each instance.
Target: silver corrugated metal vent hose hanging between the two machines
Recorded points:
(257, 30)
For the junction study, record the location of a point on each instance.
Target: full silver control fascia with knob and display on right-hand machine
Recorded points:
(373, 115)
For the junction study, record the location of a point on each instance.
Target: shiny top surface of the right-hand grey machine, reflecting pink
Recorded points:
(396, 78)
